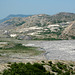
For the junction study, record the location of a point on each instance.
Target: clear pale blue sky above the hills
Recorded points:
(30, 7)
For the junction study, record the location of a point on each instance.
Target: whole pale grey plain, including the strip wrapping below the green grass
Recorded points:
(54, 50)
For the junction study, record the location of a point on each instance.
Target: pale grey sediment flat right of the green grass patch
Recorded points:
(59, 50)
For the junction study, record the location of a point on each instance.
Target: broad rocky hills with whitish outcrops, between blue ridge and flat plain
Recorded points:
(41, 26)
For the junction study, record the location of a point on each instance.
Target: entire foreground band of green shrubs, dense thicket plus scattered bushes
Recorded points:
(44, 68)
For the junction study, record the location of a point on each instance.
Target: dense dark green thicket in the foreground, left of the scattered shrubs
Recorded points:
(26, 69)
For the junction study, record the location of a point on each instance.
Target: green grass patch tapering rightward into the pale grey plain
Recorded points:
(19, 48)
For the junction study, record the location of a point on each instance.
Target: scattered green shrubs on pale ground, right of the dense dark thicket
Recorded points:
(61, 69)
